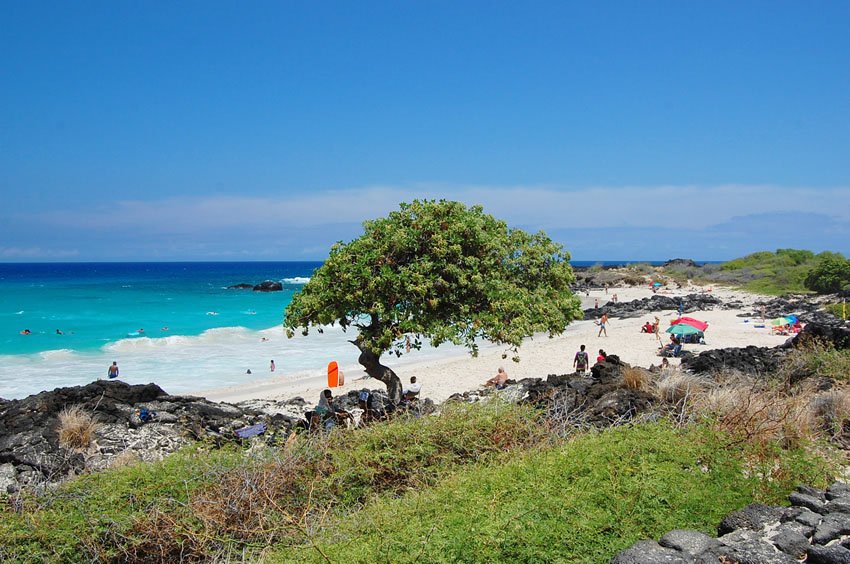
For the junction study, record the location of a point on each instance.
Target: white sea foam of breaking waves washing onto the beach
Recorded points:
(182, 364)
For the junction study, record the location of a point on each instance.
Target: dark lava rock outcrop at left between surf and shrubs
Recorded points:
(30, 451)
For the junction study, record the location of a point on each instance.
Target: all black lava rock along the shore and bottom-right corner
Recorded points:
(31, 455)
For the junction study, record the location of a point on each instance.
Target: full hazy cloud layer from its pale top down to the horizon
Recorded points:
(594, 223)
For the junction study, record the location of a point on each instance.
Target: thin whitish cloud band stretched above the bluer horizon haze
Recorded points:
(543, 207)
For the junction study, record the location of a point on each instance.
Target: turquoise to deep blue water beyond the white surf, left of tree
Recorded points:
(95, 304)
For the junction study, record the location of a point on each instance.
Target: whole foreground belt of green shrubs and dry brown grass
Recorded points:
(485, 481)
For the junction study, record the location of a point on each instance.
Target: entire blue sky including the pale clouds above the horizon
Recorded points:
(268, 130)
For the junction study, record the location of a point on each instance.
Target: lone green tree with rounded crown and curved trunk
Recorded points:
(441, 271)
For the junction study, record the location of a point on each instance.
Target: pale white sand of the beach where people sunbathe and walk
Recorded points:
(457, 372)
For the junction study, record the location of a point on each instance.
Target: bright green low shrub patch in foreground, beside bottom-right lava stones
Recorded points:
(581, 502)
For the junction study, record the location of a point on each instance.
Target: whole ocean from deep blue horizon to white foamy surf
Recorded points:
(176, 324)
